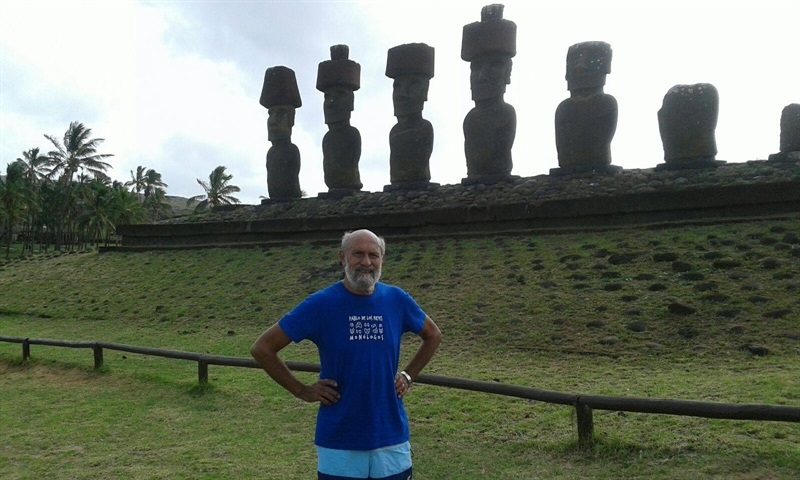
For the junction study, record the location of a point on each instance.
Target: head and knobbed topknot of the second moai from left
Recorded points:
(338, 78)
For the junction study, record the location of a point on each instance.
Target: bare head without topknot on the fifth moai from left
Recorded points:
(588, 63)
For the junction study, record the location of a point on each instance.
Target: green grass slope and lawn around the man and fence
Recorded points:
(580, 313)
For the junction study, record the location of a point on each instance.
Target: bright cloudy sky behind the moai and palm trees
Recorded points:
(174, 86)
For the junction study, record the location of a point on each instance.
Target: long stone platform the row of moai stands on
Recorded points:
(542, 203)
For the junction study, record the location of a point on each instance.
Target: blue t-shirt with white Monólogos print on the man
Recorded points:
(358, 338)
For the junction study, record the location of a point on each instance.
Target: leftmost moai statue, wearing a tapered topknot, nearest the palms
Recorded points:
(280, 97)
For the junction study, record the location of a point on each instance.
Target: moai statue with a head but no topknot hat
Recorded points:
(587, 120)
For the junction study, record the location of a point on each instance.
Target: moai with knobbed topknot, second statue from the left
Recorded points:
(339, 78)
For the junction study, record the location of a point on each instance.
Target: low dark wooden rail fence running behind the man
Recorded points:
(583, 404)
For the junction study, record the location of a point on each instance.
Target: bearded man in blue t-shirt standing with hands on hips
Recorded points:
(357, 324)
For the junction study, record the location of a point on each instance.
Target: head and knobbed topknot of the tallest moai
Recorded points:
(489, 46)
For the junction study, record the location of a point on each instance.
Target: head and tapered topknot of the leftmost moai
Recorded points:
(280, 96)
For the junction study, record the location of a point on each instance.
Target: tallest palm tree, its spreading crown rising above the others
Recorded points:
(76, 155)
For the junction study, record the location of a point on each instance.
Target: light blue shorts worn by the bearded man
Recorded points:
(379, 463)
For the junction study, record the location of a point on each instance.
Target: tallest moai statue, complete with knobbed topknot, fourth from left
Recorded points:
(490, 127)
